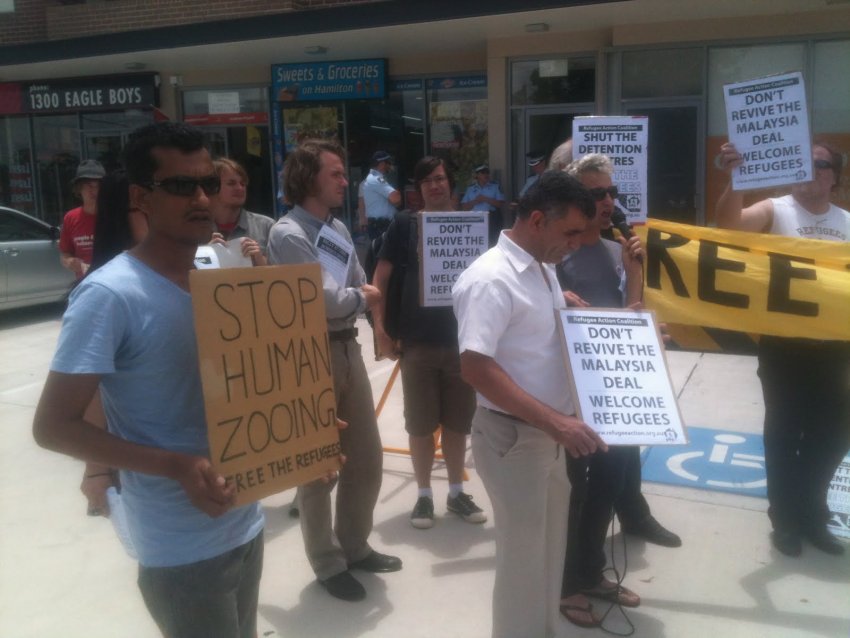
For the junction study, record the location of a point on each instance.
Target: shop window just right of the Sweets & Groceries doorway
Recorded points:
(458, 124)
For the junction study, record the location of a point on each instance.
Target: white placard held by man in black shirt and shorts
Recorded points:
(448, 243)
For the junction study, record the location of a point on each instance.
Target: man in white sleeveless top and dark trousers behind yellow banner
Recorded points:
(805, 382)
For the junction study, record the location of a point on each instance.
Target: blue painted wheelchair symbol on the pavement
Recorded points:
(714, 460)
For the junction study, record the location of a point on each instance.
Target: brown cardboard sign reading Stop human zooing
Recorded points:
(265, 365)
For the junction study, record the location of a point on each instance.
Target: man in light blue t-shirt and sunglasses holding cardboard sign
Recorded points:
(129, 332)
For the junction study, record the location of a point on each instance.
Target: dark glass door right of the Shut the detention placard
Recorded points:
(675, 170)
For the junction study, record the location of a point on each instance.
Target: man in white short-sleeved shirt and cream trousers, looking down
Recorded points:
(511, 355)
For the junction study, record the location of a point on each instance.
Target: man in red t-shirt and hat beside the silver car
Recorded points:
(77, 237)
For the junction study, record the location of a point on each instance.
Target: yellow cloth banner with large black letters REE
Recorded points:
(748, 282)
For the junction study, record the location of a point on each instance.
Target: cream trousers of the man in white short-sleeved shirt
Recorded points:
(525, 476)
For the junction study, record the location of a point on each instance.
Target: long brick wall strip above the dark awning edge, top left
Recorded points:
(75, 20)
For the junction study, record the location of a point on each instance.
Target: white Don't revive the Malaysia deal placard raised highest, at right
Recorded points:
(768, 123)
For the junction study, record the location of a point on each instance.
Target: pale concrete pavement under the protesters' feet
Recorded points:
(65, 574)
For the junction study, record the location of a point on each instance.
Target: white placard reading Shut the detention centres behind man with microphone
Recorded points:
(625, 139)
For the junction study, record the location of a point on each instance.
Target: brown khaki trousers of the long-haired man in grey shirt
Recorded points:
(331, 547)
